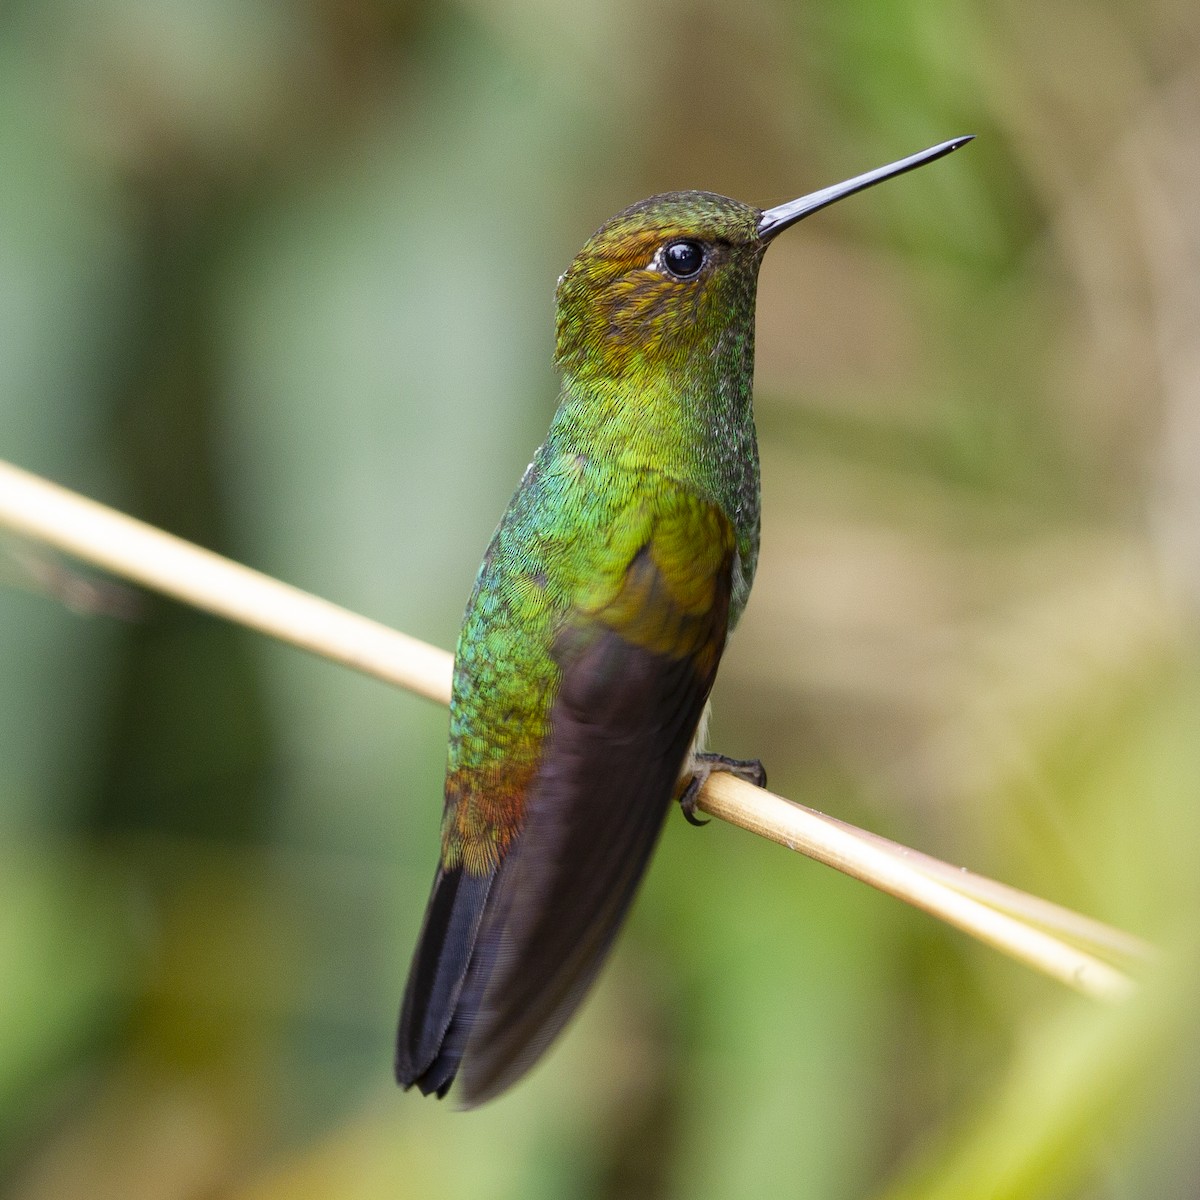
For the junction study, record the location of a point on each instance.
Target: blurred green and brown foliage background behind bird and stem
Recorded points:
(278, 275)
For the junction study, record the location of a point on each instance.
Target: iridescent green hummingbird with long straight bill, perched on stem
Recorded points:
(595, 629)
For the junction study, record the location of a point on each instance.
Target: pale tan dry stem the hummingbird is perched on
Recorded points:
(1021, 926)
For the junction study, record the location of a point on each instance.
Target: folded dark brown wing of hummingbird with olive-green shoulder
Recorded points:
(638, 656)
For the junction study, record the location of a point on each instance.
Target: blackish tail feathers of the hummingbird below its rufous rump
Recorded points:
(446, 982)
